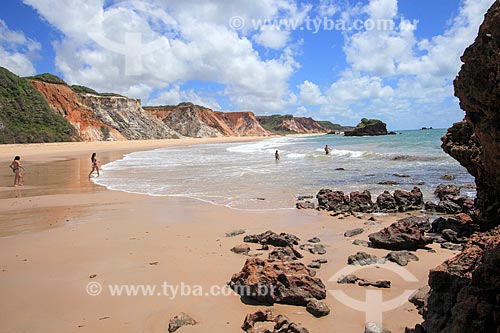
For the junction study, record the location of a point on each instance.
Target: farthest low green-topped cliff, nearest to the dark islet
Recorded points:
(288, 124)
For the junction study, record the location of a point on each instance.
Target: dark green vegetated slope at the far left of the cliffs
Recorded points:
(25, 116)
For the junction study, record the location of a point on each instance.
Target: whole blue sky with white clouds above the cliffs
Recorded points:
(337, 60)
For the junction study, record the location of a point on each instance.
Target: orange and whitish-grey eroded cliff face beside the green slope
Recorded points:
(98, 117)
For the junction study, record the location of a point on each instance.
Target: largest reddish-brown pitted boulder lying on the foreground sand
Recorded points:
(284, 282)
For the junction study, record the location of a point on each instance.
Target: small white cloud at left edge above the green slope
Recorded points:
(17, 51)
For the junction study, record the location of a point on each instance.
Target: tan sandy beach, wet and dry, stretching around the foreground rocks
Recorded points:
(60, 229)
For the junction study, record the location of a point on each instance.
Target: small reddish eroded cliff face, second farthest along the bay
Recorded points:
(243, 123)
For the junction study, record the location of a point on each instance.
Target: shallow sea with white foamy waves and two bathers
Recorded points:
(246, 175)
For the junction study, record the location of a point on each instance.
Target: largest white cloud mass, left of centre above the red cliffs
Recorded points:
(177, 41)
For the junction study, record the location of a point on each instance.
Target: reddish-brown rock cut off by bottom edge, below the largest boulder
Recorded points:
(279, 323)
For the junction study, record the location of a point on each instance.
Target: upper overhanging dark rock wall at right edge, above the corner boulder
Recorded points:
(478, 88)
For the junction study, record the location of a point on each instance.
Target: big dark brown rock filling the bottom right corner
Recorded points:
(464, 286)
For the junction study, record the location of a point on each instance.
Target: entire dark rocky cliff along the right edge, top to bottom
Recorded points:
(465, 290)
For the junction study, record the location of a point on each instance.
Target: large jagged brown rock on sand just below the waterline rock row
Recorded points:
(405, 234)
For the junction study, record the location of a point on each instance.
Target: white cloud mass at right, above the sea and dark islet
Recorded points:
(397, 77)
